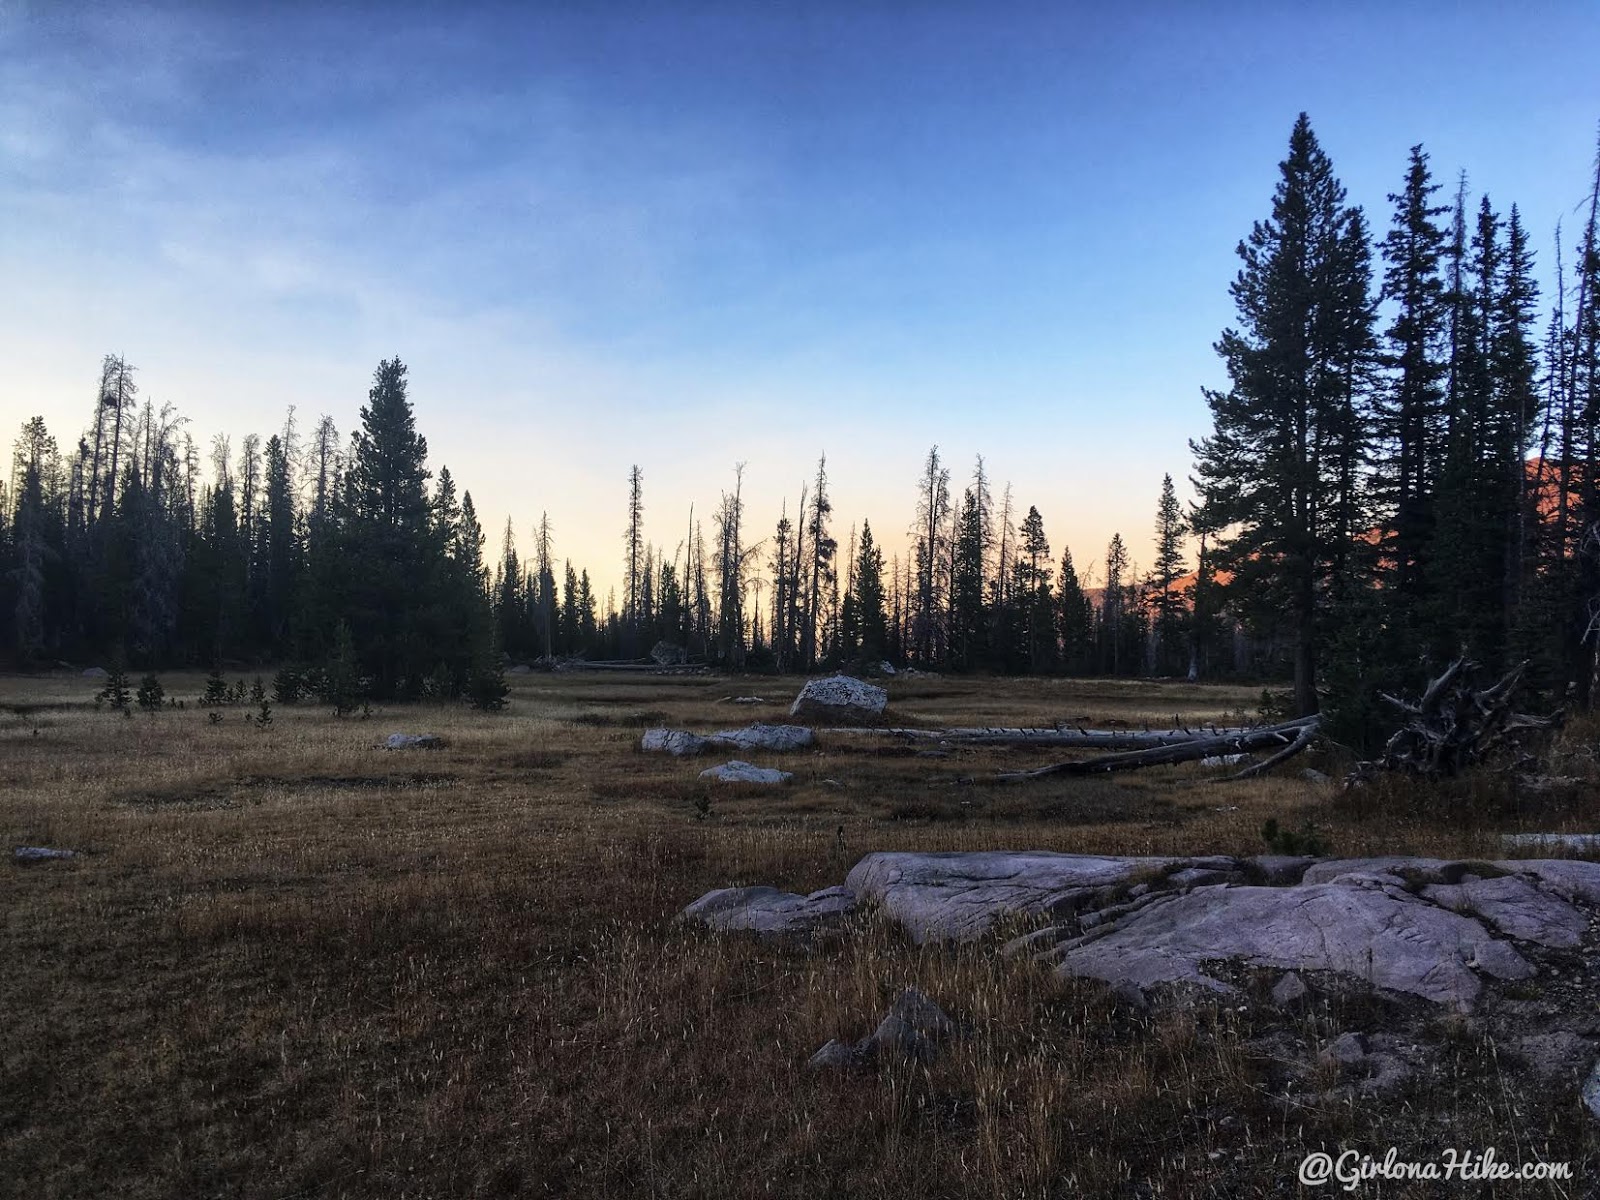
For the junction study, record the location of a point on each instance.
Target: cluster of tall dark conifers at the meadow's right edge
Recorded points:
(1404, 468)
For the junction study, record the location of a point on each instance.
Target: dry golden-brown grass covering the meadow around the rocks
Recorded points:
(294, 964)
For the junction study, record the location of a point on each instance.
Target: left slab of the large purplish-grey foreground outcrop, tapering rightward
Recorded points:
(959, 897)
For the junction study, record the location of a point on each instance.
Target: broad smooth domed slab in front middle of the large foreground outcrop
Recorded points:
(1382, 935)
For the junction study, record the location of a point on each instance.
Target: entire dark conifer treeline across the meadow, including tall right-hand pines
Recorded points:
(1402, 468)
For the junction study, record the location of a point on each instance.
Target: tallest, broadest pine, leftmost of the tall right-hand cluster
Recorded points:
(1276, 474)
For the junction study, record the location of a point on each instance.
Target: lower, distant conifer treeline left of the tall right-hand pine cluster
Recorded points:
(298, 550)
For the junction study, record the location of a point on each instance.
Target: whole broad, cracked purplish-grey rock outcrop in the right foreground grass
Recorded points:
(1433, 929)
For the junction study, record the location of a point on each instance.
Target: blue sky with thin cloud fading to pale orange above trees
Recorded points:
(689, 236)
